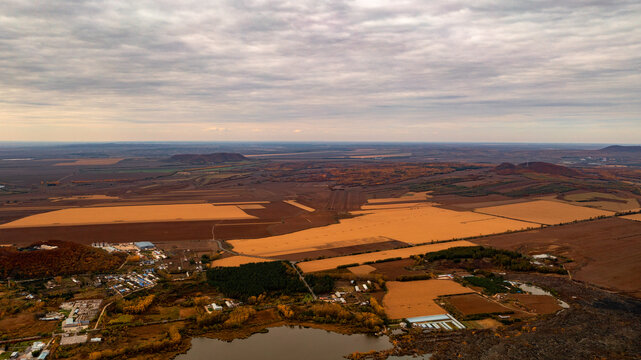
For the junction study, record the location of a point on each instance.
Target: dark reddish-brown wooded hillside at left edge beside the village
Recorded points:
(69, 258)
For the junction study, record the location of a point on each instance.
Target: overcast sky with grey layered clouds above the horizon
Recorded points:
(366, 70)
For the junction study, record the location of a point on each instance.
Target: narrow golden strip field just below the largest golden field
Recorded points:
(332, 263)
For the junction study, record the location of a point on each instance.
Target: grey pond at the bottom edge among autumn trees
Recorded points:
(285, 343)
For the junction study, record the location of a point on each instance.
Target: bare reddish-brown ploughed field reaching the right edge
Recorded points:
(605, 252)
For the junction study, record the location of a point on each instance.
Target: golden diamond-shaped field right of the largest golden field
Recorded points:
(544, 212)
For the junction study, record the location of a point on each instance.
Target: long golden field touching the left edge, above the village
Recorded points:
(130, 214)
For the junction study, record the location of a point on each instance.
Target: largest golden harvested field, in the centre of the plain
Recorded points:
(416, 225)
